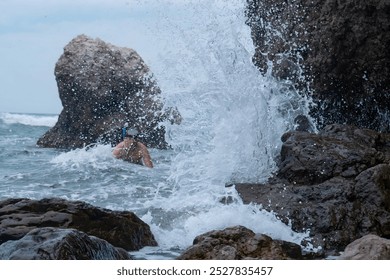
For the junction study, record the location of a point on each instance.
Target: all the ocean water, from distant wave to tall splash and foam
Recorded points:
(233, 118)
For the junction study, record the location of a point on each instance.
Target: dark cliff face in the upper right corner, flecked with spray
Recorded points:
(340, 49)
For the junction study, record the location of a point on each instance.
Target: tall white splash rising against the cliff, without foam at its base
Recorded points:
(233, 116)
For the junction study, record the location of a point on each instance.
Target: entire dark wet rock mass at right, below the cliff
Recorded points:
(335, 184)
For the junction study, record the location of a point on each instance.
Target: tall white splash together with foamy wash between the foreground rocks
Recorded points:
(233, 118)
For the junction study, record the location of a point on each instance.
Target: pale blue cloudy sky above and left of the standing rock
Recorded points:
(33, 34)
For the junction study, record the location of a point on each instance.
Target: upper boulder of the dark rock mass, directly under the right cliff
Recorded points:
(308, 158)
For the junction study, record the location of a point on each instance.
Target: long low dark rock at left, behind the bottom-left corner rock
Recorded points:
(120, 228)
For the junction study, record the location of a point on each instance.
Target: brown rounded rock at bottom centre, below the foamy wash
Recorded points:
(237, 243)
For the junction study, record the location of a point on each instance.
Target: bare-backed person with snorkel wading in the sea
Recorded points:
(132, 150)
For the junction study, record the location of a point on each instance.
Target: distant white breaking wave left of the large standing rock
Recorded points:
(28, 119)
